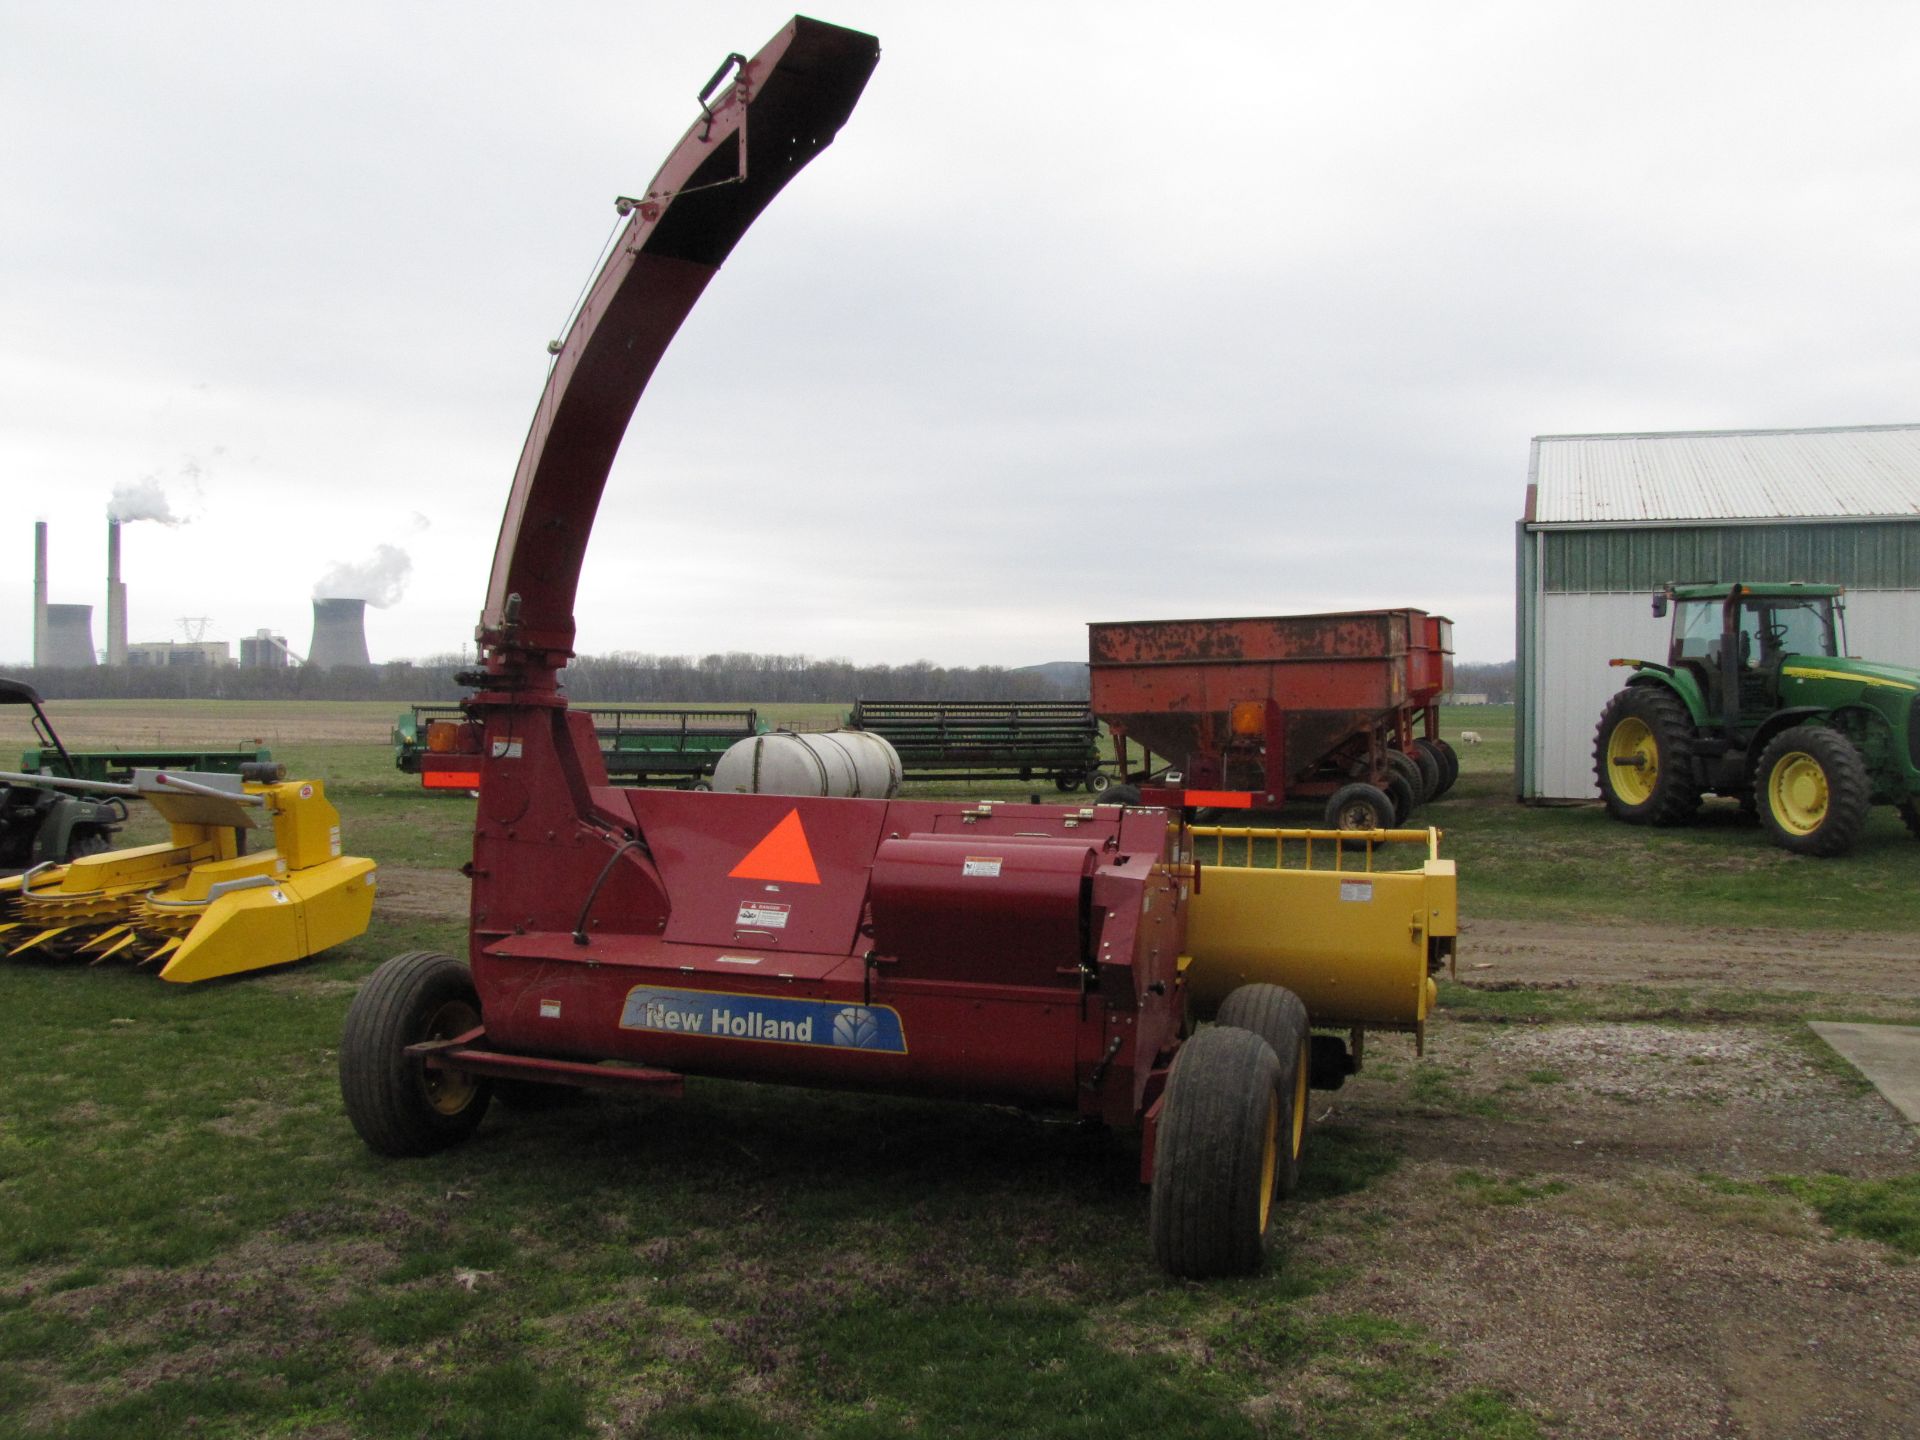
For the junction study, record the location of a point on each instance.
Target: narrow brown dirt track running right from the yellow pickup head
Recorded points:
(1675, 955)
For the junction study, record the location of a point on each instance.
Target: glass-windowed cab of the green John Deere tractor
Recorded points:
(1735, 640)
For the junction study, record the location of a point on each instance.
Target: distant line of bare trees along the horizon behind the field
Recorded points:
(734, 679)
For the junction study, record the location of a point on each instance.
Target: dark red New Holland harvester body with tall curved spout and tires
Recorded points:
(625, 938)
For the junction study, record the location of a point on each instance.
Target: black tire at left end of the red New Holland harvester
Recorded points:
(398, 1105)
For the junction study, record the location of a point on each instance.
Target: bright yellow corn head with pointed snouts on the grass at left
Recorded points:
(204, 903)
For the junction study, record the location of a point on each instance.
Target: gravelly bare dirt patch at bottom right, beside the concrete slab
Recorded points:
(1581, 1211)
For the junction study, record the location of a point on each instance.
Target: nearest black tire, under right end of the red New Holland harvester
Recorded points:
(1214, 1157)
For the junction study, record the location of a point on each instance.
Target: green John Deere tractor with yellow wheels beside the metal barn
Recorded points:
(1760, 702)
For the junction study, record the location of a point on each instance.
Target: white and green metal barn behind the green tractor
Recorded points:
(1612, 519)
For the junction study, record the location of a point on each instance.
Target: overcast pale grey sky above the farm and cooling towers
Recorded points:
(1095, 312)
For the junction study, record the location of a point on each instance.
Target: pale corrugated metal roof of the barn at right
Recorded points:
(1869, 471)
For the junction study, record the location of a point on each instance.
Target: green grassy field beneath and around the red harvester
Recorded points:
(195, 1243)
